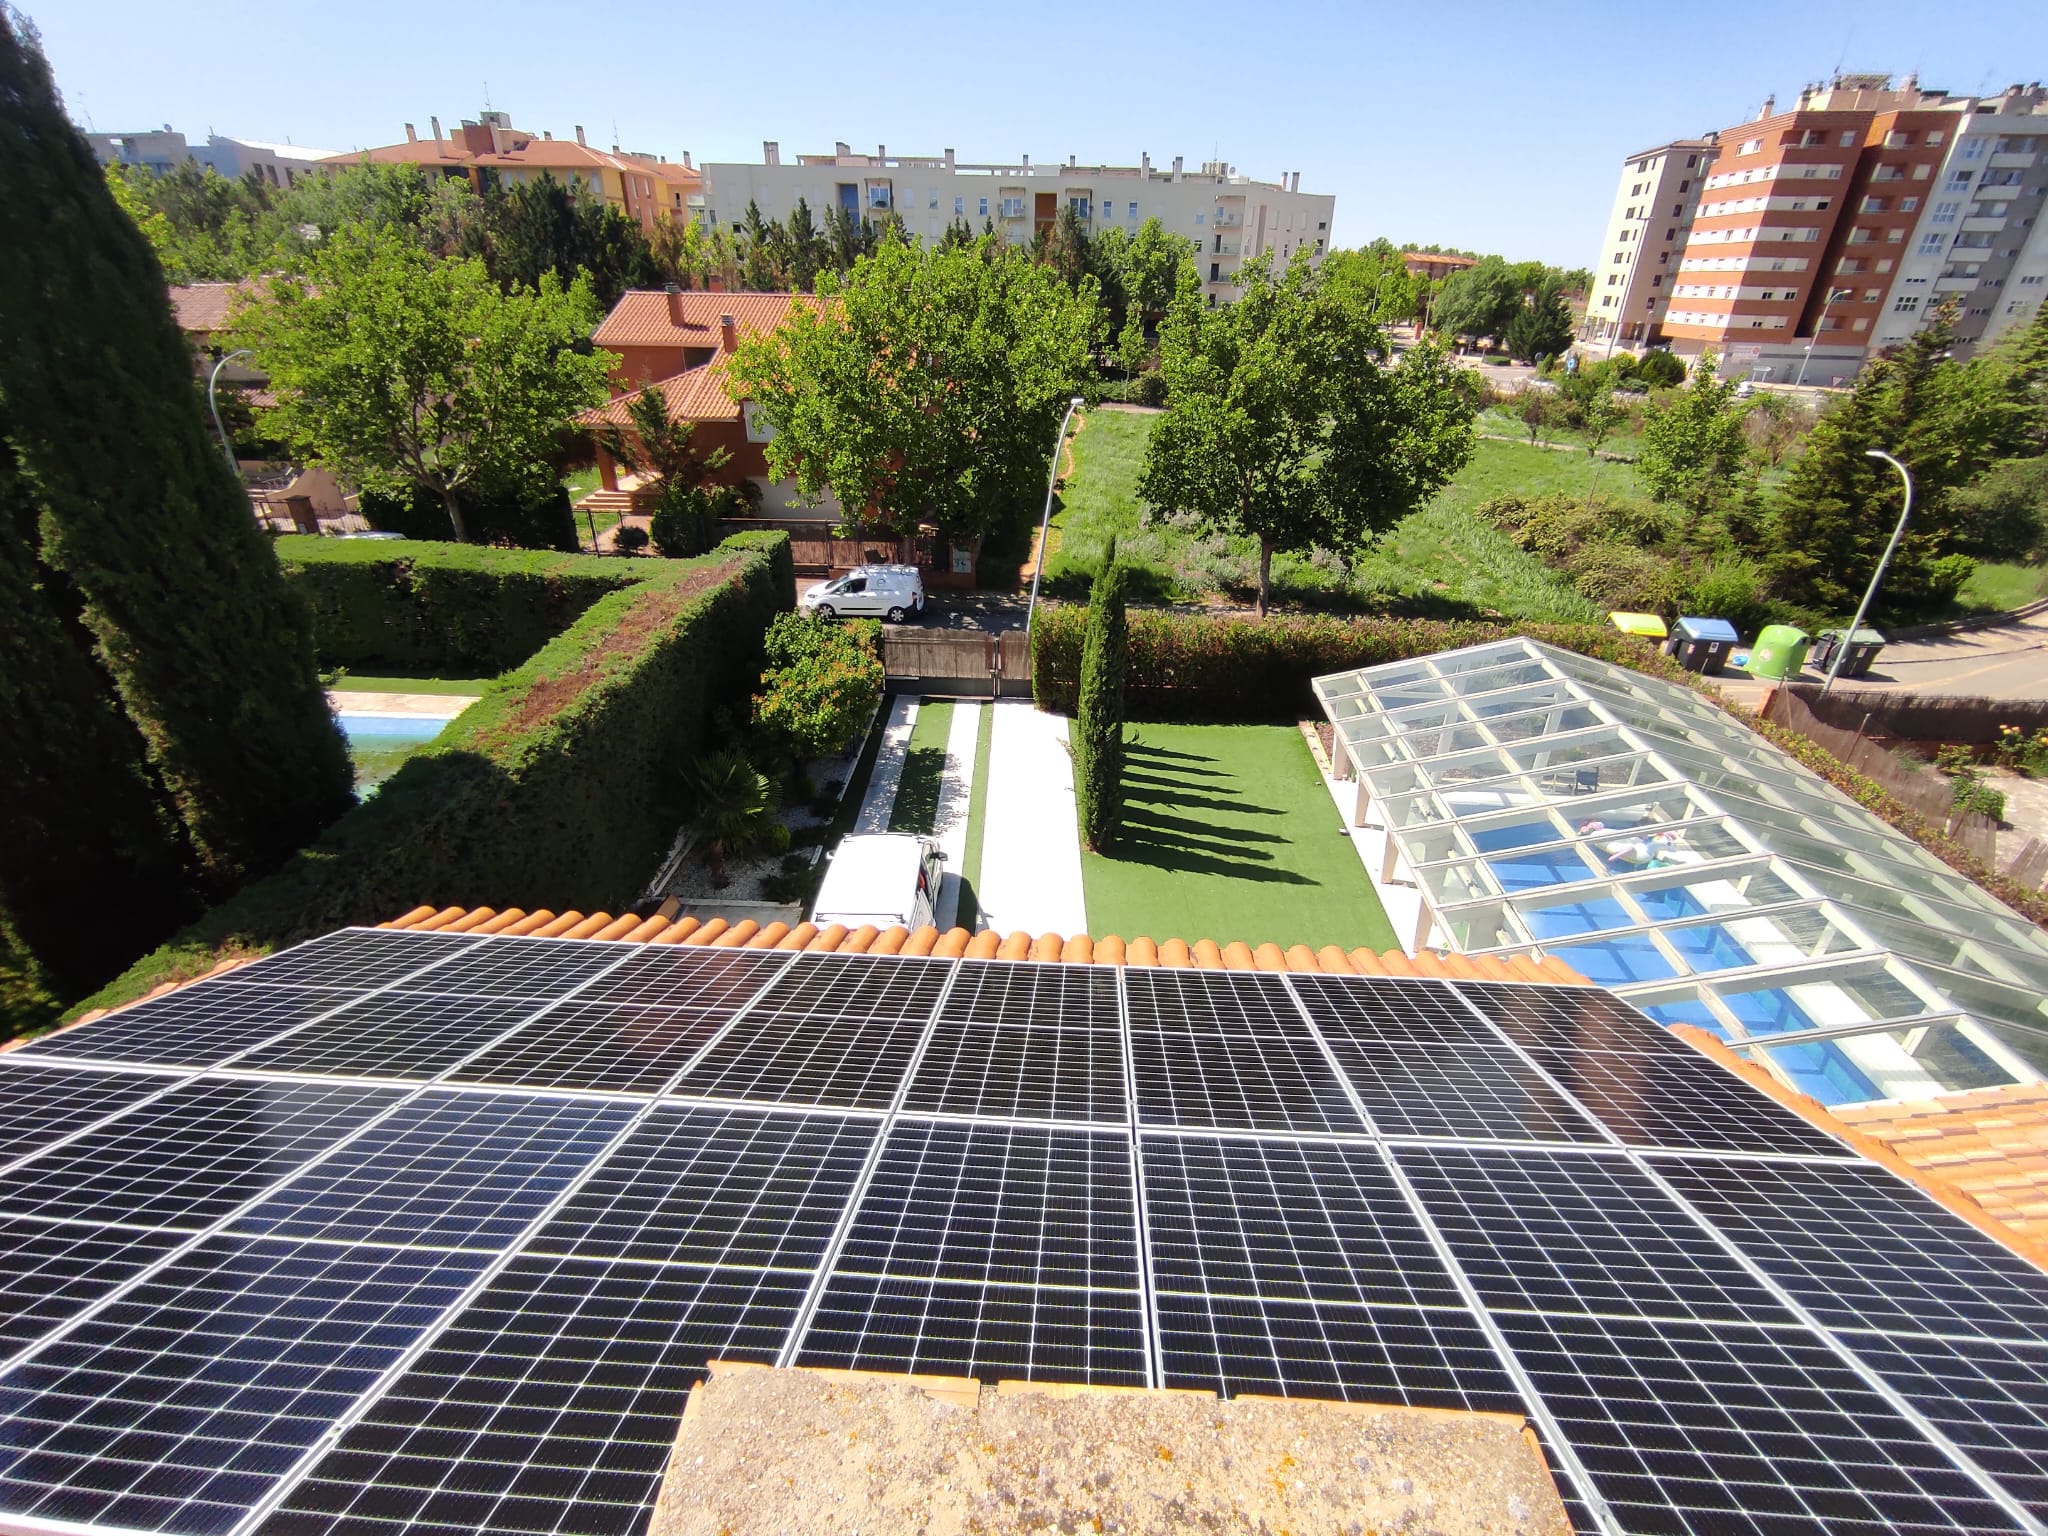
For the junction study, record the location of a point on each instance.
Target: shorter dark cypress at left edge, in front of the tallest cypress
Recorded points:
(79, 812)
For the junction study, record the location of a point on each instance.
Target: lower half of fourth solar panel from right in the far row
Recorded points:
(1033, 1072)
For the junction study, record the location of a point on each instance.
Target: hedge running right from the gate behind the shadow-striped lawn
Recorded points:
(1189, 667)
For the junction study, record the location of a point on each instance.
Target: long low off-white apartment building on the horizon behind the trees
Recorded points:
(1230, 216)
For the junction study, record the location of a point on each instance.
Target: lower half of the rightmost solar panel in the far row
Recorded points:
(1684, 1103)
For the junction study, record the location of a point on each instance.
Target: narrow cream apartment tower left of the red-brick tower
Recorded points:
(1652, 220)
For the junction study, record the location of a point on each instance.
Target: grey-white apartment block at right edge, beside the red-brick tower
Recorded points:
(1981, 234)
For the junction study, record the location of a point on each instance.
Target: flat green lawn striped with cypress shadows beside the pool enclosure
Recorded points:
(1230, 835)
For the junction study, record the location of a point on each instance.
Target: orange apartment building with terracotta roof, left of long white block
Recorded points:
(644, 185)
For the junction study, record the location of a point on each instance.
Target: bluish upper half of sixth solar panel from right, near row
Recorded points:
(460, 1170)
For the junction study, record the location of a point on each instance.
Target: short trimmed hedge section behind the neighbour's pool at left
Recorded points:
(423, 609)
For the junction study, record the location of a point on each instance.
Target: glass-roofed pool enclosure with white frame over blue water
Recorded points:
(1545, 800)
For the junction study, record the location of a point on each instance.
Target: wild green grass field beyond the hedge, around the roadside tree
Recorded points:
(1439, 562)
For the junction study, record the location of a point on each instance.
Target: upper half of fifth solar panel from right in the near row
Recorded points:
(720, 1189)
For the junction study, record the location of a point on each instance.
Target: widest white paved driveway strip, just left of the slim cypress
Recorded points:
(1031, 845)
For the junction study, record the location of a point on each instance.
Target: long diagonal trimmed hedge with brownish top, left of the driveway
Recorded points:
(560, 787)
